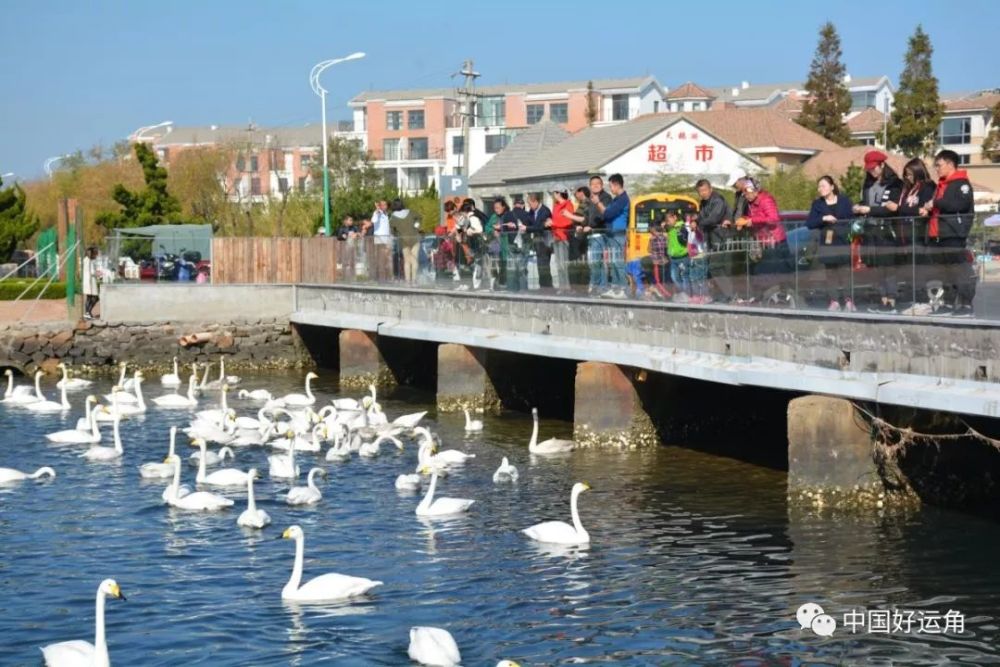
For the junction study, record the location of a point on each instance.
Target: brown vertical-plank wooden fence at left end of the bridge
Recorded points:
(298, 260)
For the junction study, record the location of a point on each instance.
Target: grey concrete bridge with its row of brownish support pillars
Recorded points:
(818, 366)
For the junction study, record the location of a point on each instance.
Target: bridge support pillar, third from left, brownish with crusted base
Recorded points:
(607, 409)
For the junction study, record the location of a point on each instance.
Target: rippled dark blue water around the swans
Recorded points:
(695, 560)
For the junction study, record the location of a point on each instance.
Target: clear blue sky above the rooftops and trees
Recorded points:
(74, 74)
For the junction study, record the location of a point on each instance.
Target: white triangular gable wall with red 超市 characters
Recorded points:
(684, 149)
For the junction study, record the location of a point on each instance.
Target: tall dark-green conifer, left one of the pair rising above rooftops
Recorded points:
(829, 100)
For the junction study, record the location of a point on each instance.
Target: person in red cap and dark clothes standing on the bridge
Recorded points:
(883, 186)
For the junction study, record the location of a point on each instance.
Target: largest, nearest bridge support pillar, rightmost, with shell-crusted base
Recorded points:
(831, 455)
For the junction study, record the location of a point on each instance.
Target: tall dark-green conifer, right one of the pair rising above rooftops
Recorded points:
(918, 109)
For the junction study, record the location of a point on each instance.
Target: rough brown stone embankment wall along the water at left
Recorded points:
(95, 347)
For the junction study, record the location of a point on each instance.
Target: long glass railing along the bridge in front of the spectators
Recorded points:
(865, 265)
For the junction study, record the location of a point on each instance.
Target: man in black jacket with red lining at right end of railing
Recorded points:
(951, 215)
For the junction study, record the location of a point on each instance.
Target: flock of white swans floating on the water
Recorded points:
(288, 425)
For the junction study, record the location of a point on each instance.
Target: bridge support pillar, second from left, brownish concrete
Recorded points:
(463, 381)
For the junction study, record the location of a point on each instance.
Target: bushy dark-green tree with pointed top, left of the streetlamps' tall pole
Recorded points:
(153, 205)
